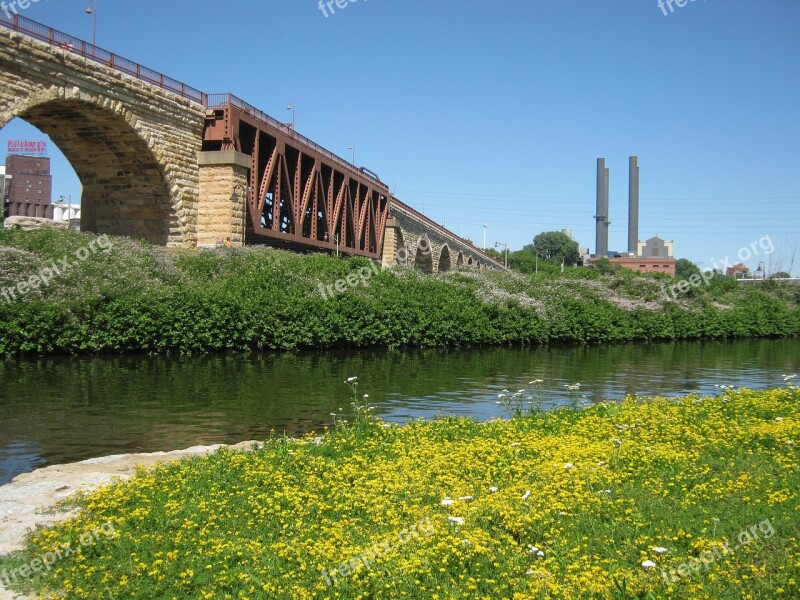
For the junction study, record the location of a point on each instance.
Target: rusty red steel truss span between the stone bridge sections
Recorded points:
(299, 194)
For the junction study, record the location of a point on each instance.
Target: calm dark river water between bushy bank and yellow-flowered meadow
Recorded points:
(65, 409)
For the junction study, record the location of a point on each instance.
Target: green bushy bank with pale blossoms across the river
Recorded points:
(130, 297)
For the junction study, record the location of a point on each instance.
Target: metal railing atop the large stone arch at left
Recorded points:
(69, 43)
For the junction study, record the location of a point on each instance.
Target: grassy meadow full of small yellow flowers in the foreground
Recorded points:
(693, 497)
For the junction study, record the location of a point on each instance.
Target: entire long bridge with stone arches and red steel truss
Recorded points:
(163, 161)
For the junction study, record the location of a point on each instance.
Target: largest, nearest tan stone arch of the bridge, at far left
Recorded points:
(133, 145)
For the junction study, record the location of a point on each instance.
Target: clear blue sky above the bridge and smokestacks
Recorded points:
(495, 112)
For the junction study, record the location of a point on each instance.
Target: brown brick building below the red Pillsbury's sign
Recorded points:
(30, 189)
